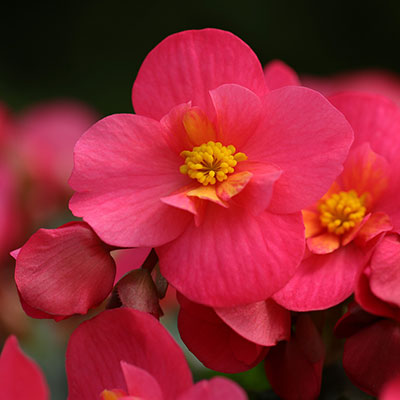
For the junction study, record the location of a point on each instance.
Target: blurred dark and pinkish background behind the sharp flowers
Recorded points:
(66, 64)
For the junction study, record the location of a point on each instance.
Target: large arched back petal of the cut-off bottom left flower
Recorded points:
(97, 347)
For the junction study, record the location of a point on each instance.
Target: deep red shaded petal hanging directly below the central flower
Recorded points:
(213, 342)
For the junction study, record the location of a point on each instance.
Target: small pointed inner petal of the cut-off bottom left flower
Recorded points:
(140, 383)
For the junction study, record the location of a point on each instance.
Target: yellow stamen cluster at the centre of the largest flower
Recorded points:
(210, 162)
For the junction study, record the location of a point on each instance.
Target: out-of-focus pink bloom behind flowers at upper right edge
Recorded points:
(377, 81)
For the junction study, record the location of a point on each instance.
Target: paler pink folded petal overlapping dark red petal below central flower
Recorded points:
(264, 323)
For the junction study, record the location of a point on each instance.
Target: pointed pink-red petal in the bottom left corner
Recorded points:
(20, 377)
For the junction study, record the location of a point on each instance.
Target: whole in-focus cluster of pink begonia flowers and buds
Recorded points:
(263, 200)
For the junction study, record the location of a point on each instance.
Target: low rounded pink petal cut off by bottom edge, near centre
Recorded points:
(216, 388)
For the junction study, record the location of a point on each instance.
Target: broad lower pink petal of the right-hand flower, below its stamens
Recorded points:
(323, 281)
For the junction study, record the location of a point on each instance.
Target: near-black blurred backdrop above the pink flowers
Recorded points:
(92, 49)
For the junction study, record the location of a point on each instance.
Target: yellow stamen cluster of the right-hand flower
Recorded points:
(342, 211)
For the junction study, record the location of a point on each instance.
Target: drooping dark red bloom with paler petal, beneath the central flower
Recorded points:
(235, 339)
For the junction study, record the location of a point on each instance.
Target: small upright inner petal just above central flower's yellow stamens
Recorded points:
(238, 114)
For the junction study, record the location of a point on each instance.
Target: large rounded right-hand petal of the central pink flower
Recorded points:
(298, 121)
